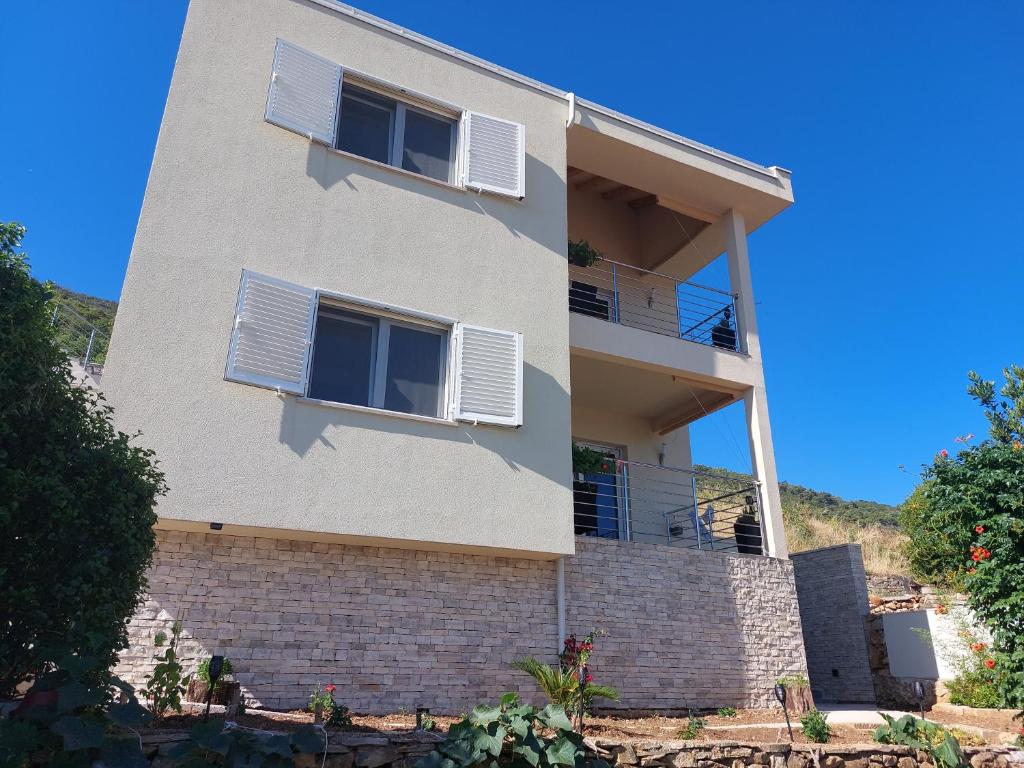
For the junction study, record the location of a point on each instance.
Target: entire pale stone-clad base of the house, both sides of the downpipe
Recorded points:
(399, 629)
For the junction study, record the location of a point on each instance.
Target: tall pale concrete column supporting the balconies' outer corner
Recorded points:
(756, 399)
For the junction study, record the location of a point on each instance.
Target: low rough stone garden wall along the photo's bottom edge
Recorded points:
(348, 750)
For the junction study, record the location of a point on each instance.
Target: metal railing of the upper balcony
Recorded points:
(651, 302)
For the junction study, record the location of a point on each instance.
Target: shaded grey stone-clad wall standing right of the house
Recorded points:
(833, 610)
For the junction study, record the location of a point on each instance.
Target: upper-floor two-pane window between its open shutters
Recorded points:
(381, 129)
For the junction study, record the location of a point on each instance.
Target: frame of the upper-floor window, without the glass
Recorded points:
(405, 101)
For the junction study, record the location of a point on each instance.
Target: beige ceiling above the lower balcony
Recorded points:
(666, 401)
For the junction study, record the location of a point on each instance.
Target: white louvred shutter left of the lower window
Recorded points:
(273, 334)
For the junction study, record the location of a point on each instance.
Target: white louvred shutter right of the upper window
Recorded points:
(494, 155)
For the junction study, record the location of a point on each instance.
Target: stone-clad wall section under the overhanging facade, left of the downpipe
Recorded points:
(393, 629)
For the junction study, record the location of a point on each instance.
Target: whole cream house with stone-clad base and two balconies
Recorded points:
(352, 333)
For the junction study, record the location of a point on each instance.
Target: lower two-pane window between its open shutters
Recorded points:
(378, 362)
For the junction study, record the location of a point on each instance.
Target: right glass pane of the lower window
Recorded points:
(414, 369)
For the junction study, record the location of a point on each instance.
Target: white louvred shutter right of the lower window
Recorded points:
(489, 376)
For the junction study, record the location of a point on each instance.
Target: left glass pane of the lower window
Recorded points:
(344, 358)
